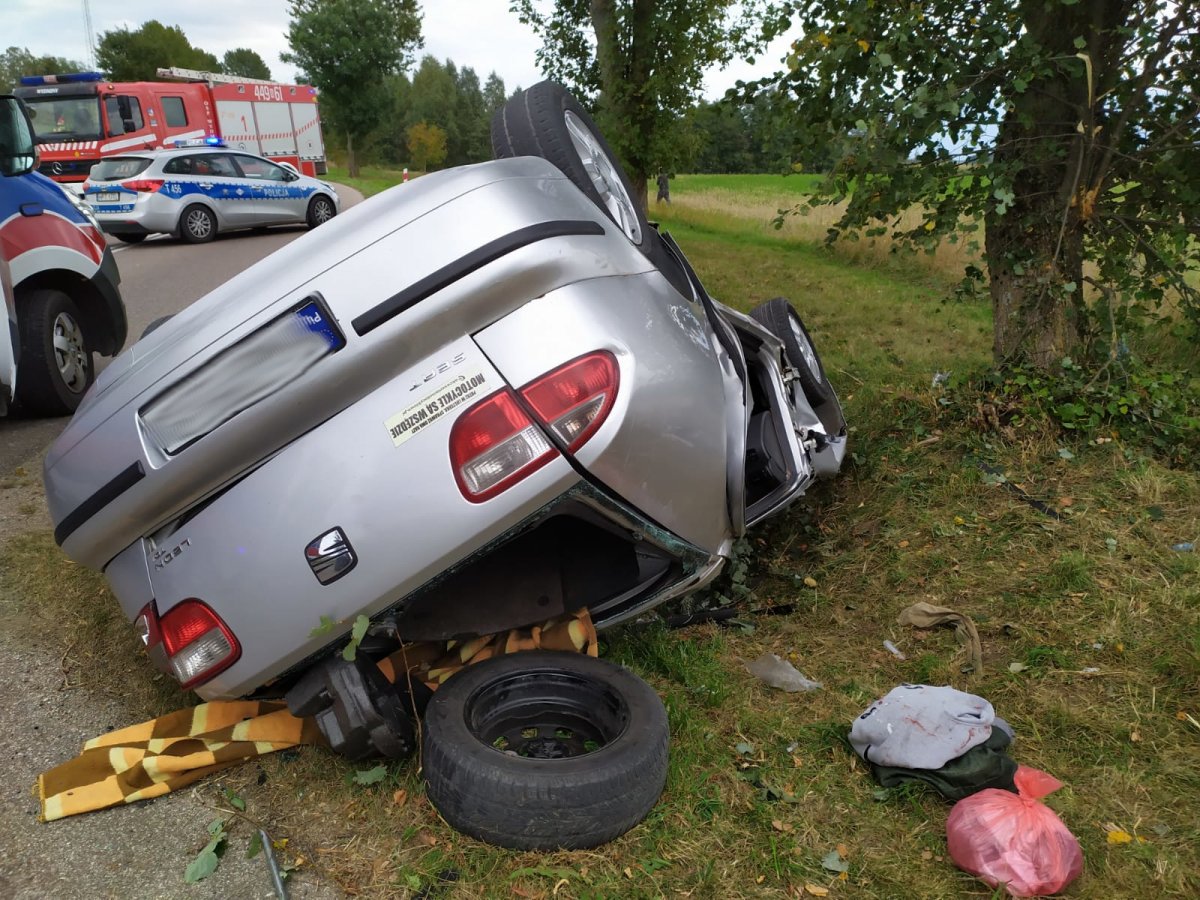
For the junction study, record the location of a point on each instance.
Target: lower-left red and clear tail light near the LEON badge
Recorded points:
(190, 641)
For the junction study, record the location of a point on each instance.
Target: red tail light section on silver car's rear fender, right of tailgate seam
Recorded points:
(574, 400)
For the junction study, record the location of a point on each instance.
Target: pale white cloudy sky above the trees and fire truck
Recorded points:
(482, 34)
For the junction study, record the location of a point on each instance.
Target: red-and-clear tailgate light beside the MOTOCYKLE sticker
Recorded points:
(494, 446)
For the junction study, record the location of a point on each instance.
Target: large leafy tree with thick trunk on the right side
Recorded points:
(1069, 129)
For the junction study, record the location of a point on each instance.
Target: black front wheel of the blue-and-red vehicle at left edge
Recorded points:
(56, 367)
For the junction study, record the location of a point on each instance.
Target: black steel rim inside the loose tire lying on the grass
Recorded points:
(547, 716)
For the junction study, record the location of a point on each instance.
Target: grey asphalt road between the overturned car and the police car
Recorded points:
(159, 278)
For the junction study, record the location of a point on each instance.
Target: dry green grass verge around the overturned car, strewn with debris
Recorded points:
(1102, 616)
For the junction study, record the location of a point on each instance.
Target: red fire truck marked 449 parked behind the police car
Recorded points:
(80, 119)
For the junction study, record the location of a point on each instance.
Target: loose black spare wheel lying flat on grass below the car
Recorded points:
(596, 769)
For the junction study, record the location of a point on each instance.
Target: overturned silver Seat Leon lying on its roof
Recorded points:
(475, 403)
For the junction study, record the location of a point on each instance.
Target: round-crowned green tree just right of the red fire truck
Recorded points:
(349, 49)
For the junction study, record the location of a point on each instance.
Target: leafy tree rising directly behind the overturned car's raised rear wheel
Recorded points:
(643, 63)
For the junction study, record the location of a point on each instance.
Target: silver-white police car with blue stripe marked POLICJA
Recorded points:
(197, 191)
